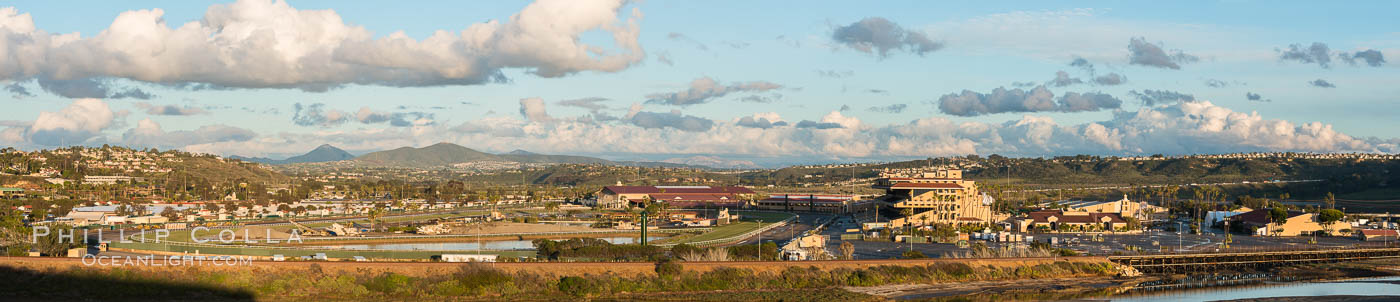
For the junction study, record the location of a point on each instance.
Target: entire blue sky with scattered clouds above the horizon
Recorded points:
(752, 82)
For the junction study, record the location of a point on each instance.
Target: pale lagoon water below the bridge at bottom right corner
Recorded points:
(1364, 287)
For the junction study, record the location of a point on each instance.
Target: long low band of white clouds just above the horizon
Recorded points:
(1184, 128)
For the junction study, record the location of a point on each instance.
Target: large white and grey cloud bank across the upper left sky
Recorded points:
(260, 44)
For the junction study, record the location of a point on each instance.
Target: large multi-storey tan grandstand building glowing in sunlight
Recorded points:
(937, 198)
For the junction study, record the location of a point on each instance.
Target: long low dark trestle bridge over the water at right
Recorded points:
(1207, 262)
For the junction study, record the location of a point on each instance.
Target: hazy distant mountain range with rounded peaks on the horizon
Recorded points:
(446, 154)
